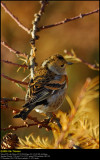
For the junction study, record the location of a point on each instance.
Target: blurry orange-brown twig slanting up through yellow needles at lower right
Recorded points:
(71, 117)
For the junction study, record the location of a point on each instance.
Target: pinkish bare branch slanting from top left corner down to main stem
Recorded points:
(15, 18)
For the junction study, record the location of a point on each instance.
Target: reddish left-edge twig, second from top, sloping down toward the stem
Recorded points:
(13, 50)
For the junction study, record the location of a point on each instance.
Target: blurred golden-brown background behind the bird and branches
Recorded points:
(80, 35)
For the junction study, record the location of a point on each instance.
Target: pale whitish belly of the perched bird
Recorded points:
(54, 102)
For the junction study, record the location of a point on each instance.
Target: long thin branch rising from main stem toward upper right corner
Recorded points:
(68, 20)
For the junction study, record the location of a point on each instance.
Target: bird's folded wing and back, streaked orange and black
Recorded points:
(44, 84)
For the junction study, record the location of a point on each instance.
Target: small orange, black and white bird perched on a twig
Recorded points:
(48, 89)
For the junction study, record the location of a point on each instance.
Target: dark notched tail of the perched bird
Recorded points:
(24, 113)
